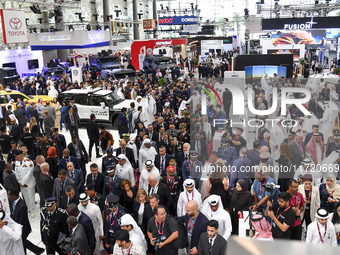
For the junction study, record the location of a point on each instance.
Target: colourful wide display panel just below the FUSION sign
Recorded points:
(313, 37)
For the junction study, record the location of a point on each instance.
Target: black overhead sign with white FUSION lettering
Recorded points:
(301, 23)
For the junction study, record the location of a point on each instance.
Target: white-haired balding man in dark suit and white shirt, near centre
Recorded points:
(160, 188)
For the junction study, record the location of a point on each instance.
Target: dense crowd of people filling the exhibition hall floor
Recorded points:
(149, 195)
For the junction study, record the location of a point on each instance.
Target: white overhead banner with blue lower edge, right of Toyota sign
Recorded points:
(69, 40)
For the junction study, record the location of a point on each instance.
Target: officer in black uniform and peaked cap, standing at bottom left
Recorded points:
(52, 221)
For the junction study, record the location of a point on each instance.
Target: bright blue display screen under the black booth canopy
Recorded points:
(256, 72)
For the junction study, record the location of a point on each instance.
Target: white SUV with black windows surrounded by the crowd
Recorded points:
(105, 104)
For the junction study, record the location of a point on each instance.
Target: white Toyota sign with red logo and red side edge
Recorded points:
(13, 26)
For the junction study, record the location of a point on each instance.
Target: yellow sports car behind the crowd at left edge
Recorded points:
(7, 95)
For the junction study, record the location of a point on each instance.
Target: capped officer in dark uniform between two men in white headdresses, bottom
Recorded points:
(111, 217)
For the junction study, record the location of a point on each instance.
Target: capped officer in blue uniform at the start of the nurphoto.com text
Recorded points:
(190, 168)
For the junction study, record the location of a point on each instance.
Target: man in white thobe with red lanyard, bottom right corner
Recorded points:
(322, 230)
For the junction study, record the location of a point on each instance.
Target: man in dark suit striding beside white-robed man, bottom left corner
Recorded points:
(19, 215)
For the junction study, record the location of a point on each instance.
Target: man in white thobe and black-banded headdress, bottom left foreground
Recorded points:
(93, 211)
